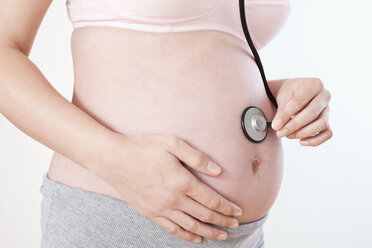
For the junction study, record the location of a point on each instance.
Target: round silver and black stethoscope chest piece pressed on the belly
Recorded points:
(254, 124)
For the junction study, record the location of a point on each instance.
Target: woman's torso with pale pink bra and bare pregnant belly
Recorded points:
(194, 85)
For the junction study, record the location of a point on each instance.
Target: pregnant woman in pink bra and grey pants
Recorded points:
(150, 151)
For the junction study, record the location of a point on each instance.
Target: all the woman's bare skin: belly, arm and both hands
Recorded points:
(127, 131)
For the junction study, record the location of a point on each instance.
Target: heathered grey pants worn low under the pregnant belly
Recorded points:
(72, 218)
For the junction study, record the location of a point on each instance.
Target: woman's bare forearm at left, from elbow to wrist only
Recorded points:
(30, 102)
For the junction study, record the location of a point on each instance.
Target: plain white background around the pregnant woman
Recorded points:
(326, 194)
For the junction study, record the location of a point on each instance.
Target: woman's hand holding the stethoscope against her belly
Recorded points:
(303, 111)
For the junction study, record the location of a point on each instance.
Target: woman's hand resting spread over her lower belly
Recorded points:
(148, 174)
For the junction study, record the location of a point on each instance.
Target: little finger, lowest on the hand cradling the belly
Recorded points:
(175, 229)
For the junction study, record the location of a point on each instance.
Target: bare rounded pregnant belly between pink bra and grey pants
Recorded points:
(192, 84)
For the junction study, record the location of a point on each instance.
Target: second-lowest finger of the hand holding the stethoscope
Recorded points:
(319, 125)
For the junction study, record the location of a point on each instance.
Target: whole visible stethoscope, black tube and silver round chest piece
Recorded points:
(254, 123)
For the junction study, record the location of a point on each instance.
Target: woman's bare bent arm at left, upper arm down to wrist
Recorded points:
(29, 101)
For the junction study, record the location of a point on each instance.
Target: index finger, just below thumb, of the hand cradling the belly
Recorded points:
(205, 195)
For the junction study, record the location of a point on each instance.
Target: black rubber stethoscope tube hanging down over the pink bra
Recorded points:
(255, 53)
